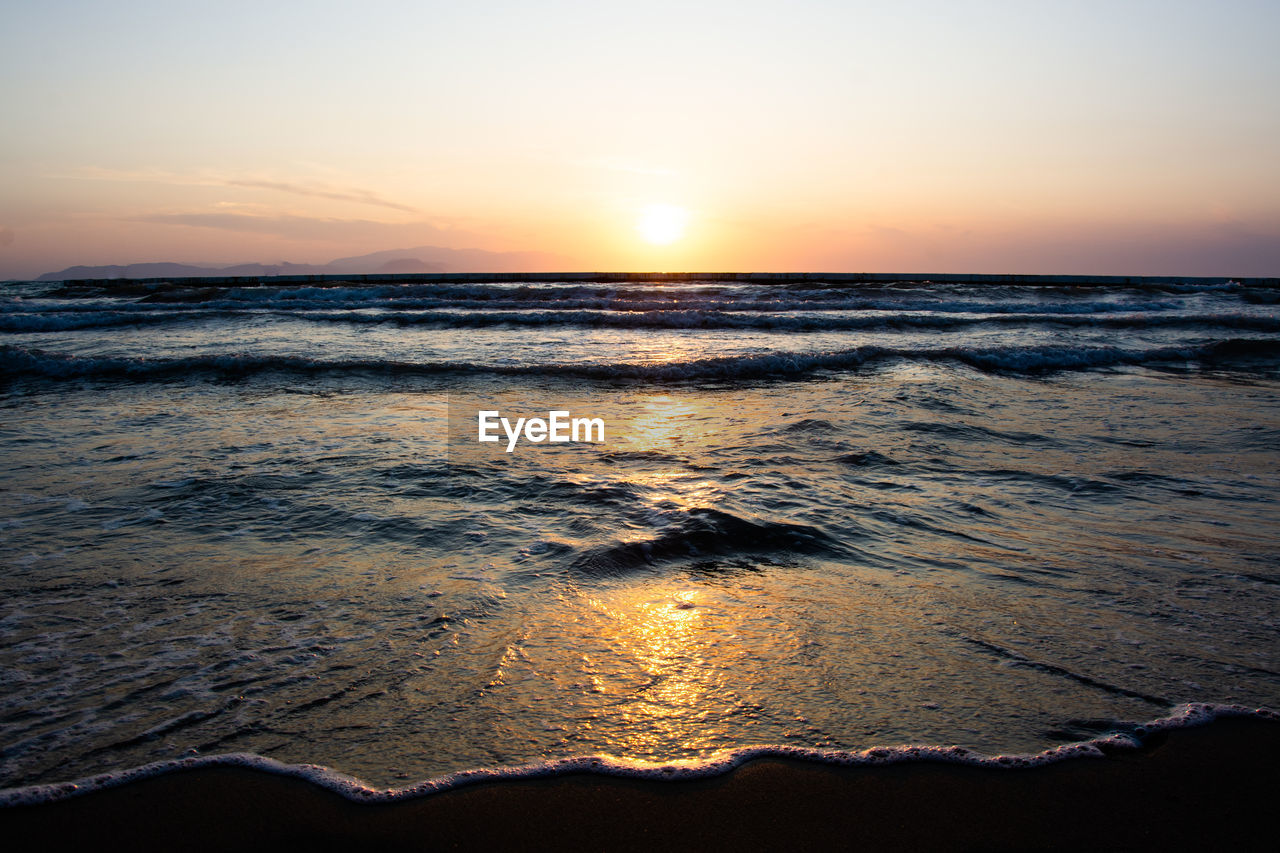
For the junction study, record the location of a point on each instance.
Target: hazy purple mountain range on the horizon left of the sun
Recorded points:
(422, 259)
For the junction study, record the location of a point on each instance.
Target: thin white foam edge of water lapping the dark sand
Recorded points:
(1124, 737)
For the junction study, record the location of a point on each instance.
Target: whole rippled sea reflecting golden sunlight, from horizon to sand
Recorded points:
(825, 517)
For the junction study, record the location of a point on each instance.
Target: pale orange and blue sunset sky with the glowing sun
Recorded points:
(1121, 138)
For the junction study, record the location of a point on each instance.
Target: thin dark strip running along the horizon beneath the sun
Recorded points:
(747, 279)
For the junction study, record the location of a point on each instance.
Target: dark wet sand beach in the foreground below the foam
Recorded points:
(1210, 788)
